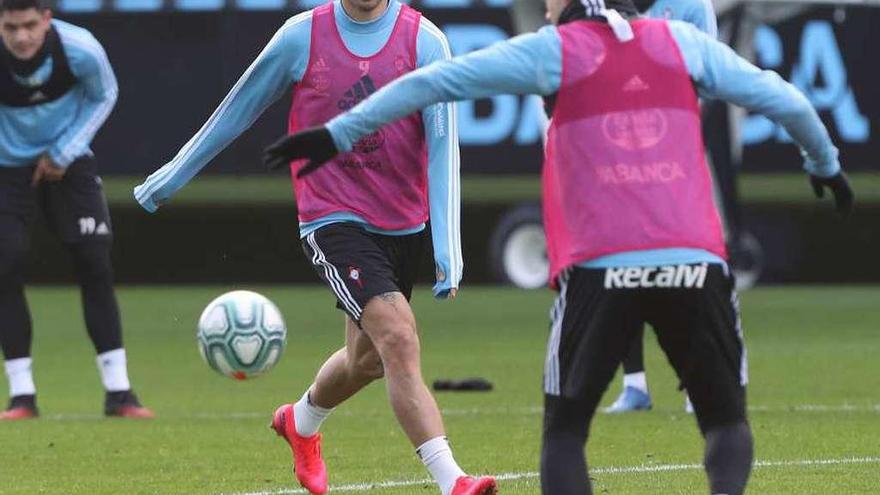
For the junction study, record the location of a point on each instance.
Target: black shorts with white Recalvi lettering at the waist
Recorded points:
(694, 312)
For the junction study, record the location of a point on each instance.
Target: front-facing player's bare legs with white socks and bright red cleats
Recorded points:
(386, 345)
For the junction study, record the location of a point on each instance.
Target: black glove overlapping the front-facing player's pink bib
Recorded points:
(314, 144)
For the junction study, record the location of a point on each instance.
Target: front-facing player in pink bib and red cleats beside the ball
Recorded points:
(363, 219)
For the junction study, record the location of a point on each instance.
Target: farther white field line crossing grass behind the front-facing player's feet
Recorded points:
(494, 411)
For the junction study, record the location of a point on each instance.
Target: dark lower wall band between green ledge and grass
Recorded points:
(238, 244)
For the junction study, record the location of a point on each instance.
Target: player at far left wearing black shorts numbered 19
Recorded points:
(56, 90)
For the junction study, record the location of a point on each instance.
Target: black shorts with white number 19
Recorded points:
(75, 208)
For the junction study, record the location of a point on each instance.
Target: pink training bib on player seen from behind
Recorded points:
(624, 167)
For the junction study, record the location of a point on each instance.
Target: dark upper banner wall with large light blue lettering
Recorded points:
(176, 59)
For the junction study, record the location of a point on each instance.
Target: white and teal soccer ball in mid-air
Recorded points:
(241, 334)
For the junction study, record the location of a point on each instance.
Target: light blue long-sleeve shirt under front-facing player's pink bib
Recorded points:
(280, 66)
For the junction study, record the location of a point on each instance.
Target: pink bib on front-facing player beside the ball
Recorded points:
(384, 178)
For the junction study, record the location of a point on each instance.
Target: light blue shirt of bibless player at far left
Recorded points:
(63, 128)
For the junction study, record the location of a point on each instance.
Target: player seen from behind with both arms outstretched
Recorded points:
(633, 232)
